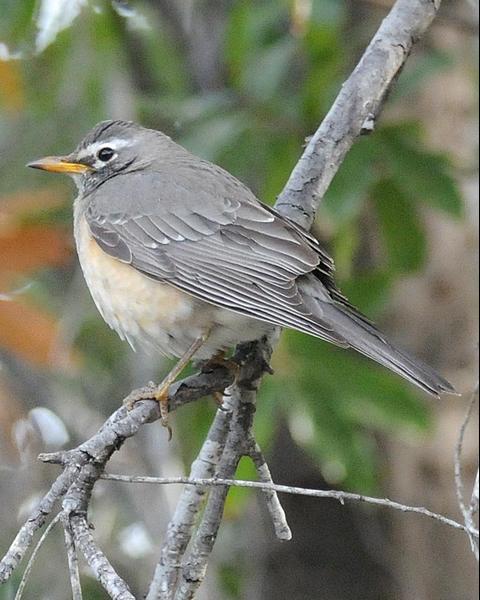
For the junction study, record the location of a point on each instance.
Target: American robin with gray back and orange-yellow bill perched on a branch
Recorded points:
(180, 255)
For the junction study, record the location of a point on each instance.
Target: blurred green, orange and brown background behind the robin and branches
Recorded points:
(242, 83)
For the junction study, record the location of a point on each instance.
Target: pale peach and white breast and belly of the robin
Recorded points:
(149, 313)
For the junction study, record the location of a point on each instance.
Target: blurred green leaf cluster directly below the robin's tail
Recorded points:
(342, 396)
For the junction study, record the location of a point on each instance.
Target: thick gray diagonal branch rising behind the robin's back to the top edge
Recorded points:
(356, 108)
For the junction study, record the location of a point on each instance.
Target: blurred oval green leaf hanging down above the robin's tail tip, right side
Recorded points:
(403, 236)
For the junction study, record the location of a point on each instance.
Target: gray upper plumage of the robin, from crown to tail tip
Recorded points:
(188, 223)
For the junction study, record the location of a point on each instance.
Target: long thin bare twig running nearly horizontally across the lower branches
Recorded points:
(288, 489)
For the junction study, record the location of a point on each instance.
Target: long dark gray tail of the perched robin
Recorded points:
(353, 330)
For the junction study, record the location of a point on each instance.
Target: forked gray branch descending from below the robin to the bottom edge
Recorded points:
(231, 427)
